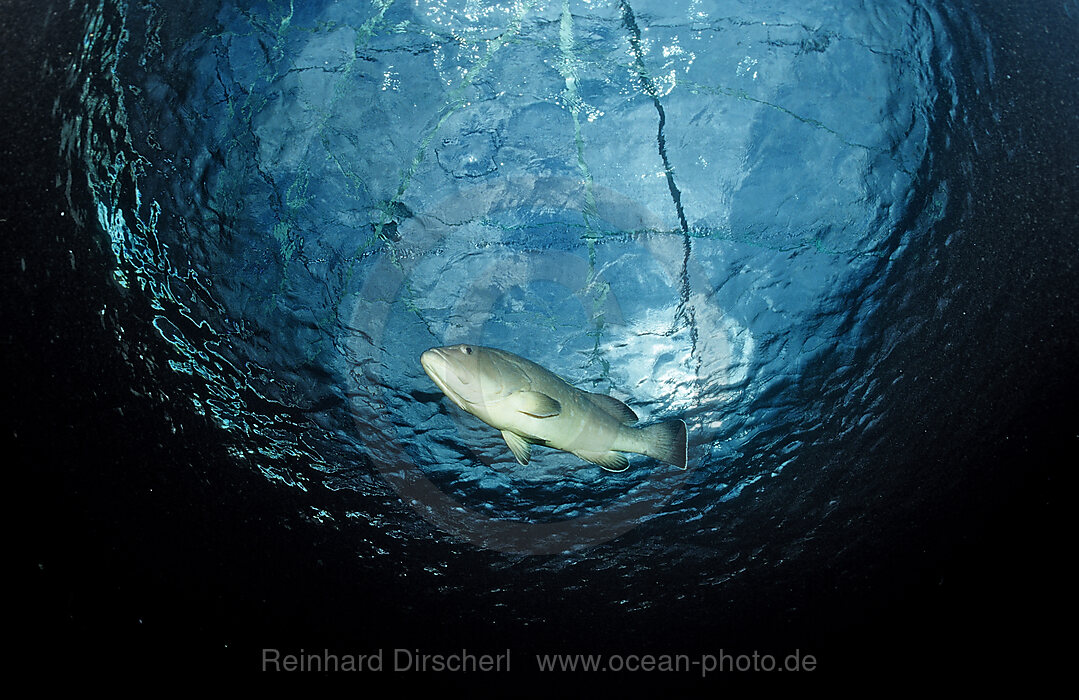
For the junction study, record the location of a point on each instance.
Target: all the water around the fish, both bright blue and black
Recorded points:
(838, 241)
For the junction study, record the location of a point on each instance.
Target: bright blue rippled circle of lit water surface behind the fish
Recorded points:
(731, 213)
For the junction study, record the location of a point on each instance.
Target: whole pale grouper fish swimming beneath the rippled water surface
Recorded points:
(534, 406)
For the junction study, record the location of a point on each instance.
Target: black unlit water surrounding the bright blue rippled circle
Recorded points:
(138, 555)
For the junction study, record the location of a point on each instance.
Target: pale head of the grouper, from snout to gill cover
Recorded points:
(473, 377)
